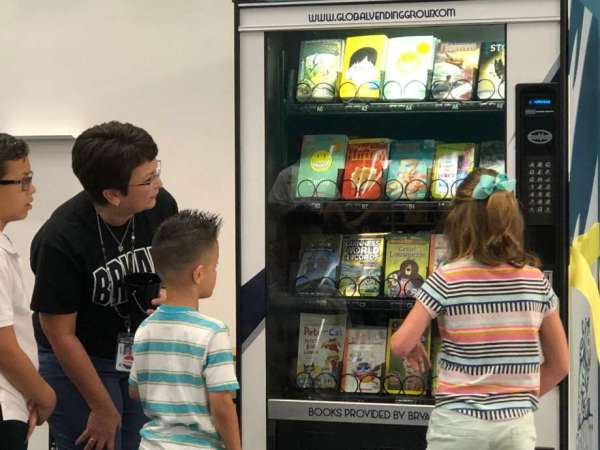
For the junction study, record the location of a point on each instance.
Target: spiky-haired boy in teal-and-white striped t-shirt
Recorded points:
(183, 364)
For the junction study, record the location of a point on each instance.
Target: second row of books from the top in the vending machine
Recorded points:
(371, 169)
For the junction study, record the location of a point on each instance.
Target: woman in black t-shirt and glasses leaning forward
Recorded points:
(82, 312)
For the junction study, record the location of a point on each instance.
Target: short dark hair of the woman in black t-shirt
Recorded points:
(104, 156)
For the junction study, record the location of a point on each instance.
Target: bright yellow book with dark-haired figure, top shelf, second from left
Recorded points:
(364, 61)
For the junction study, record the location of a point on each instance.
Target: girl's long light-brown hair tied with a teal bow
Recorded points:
(491, 231)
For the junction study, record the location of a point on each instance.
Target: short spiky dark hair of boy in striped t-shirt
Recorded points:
(183, 239)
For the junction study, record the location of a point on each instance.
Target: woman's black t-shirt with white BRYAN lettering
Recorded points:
(72, 275)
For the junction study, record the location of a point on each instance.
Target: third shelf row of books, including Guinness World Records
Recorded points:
(359, 265)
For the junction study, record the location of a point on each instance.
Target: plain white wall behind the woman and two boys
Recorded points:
(166, 66)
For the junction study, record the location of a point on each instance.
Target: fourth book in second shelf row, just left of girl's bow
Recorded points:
(452, 164)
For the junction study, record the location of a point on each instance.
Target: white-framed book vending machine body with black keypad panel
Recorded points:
(531, 121)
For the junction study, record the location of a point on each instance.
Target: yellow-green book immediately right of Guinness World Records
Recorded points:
(406, 258)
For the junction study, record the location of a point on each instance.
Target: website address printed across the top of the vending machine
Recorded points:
(371, 16)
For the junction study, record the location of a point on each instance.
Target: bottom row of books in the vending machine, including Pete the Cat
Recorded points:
(333, 355)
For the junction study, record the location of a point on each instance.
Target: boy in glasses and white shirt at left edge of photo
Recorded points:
(24, 396)
